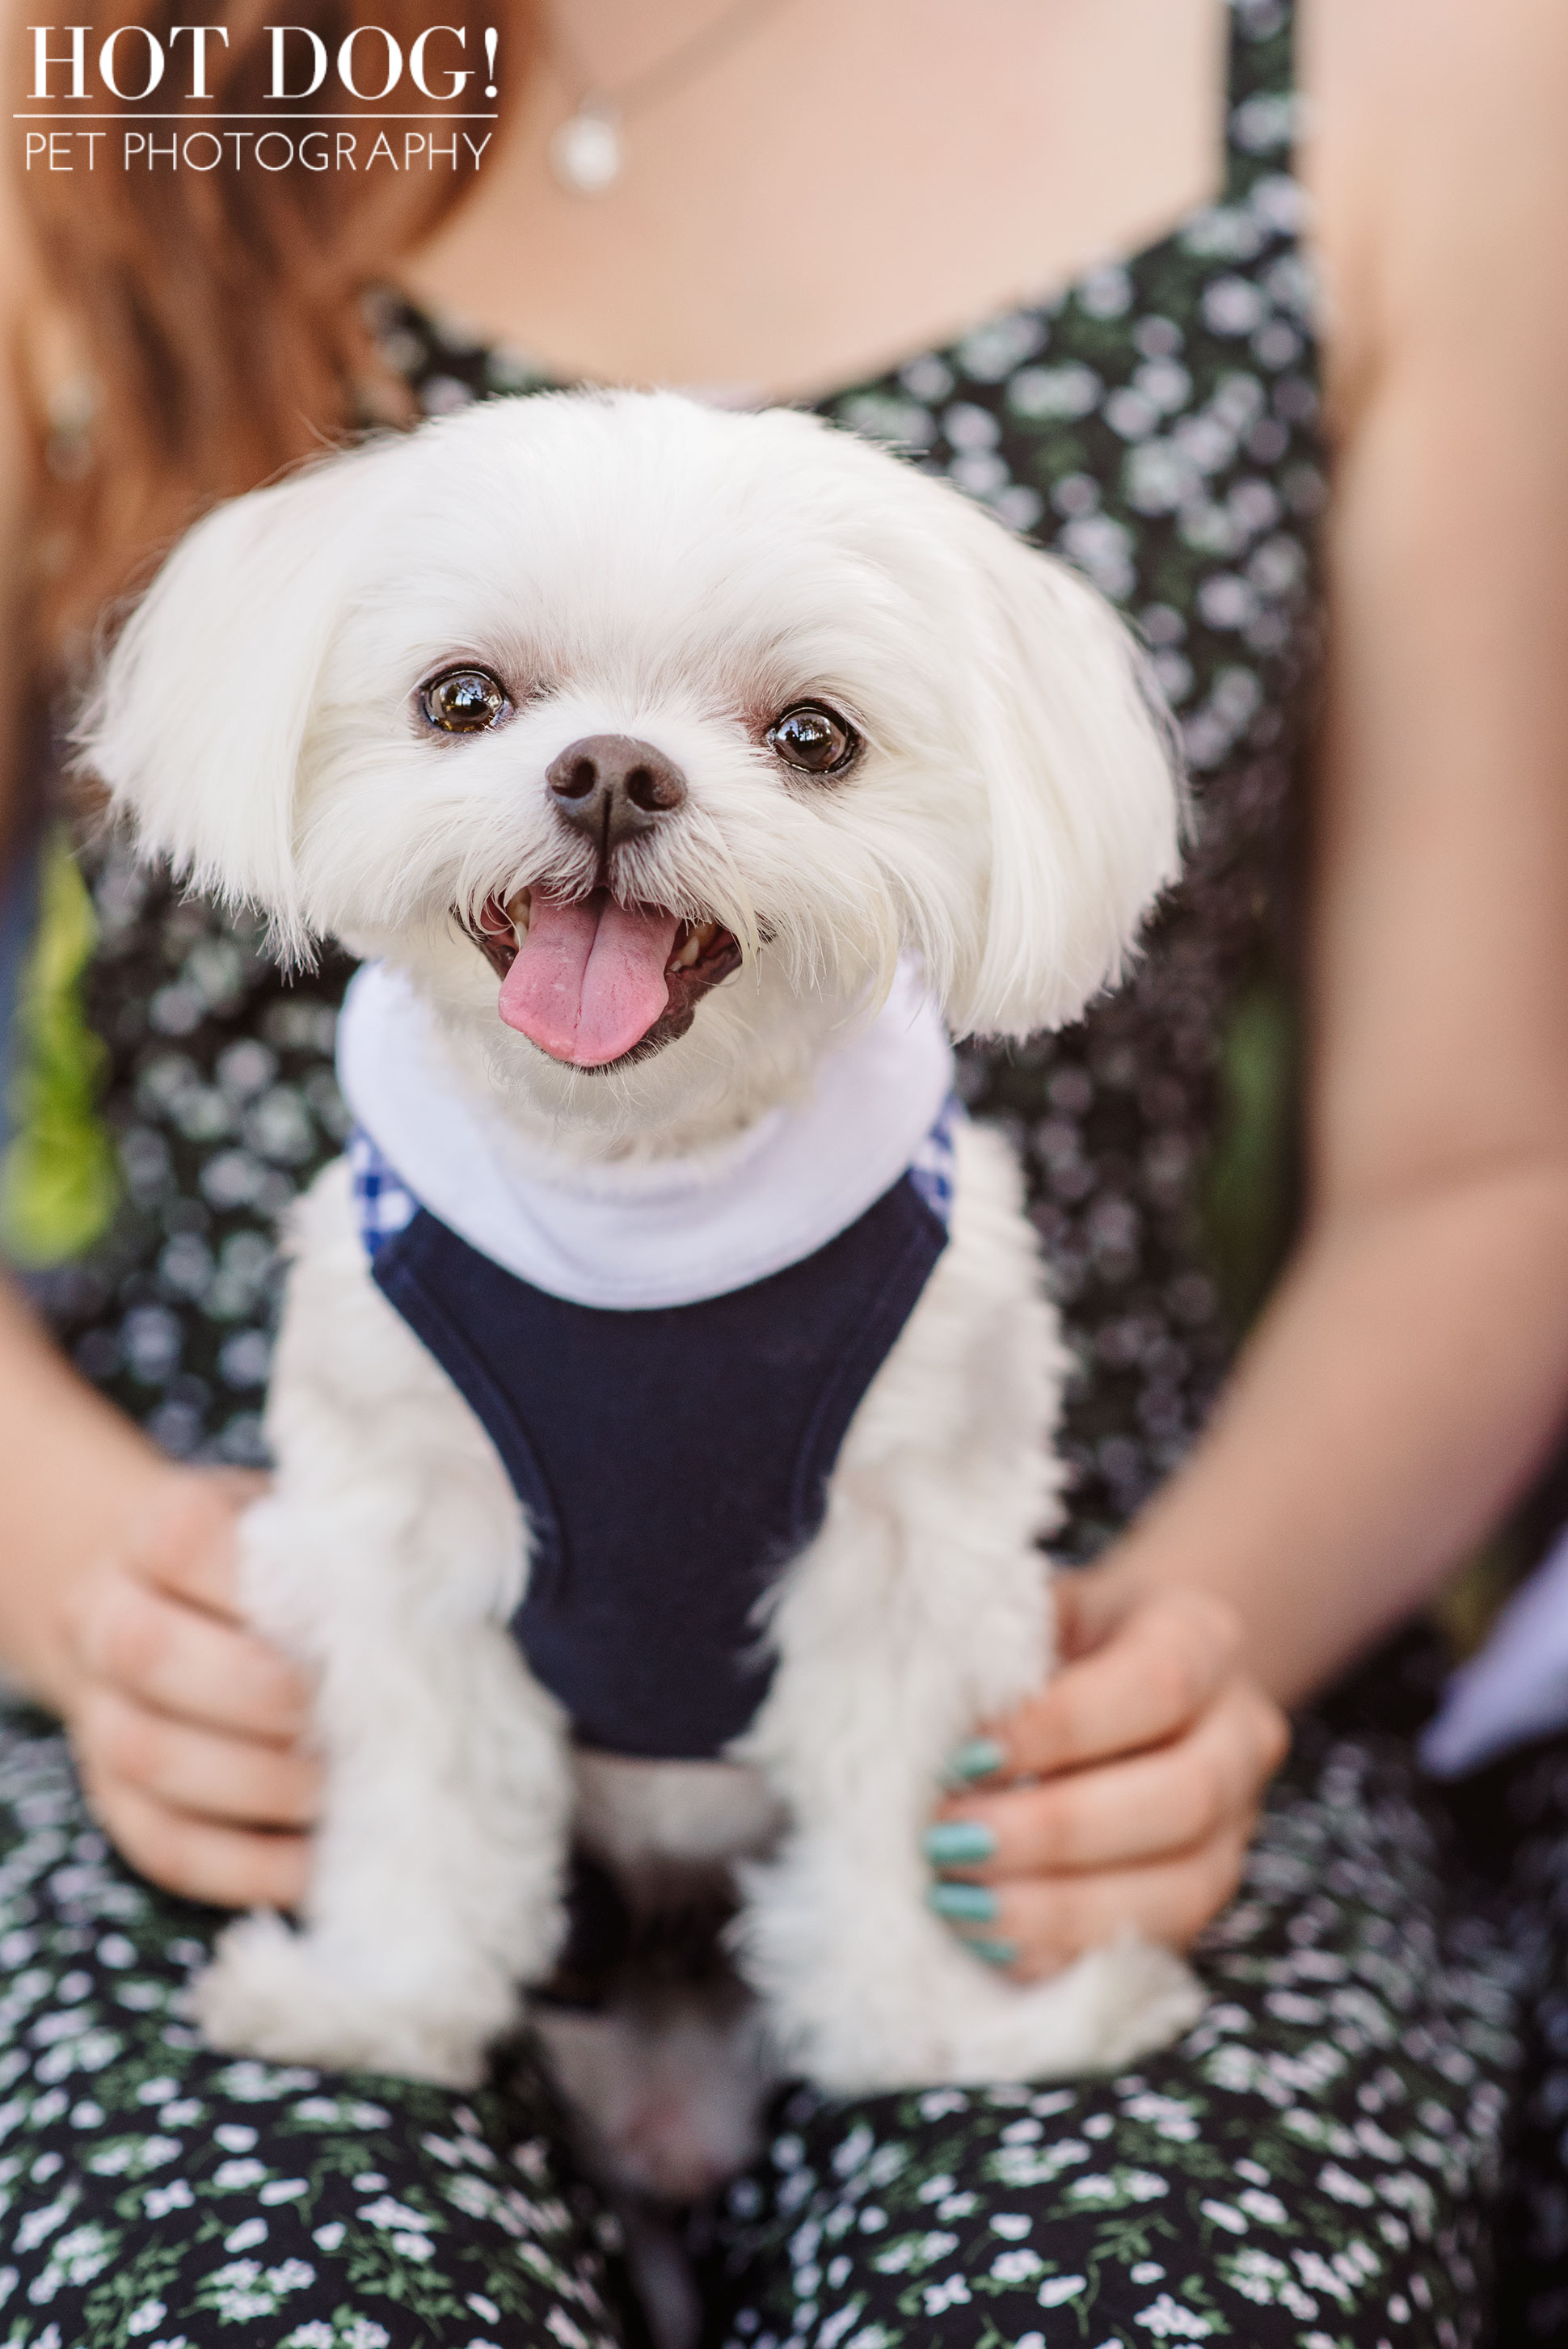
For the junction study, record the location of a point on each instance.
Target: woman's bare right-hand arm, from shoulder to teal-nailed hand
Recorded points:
(1414, 1366)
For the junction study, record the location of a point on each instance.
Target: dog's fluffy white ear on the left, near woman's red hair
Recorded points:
(201, 711)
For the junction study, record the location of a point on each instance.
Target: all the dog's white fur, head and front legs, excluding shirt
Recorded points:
(640, 565)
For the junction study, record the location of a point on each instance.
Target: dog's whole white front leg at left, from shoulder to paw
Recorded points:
(388, 1561)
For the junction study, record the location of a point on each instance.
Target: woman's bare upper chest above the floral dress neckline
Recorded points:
(837, 187)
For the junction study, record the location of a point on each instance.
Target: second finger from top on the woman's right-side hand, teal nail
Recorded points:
(1121, 1812)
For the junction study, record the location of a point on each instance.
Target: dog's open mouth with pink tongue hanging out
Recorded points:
(597, 983)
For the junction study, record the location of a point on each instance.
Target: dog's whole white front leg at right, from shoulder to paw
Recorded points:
(919, 1610)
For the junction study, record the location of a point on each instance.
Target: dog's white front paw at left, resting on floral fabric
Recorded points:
(276, 1993)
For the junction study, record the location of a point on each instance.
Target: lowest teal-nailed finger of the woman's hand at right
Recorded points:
(1039, 1925)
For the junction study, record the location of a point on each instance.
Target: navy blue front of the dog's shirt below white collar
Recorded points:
(670, 1460)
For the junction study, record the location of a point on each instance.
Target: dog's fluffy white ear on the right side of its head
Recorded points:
(1083, 786)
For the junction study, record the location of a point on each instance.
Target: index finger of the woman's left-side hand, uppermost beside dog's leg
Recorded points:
(184, 1662)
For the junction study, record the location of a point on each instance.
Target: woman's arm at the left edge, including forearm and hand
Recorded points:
(116, 1568)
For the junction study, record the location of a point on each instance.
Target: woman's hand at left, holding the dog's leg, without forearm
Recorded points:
(187, 1725)
